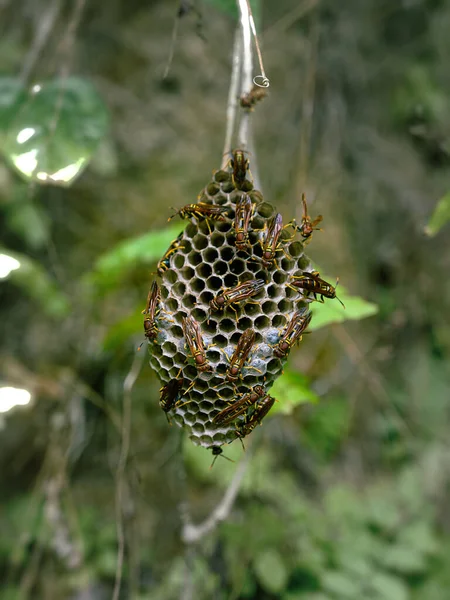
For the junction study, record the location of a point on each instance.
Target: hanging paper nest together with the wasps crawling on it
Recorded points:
(231, 301)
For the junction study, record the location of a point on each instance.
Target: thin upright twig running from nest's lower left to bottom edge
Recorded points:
(128, 384)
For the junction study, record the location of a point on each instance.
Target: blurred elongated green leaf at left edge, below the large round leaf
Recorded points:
(30, 276)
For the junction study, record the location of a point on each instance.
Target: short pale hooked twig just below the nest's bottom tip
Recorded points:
(191, 533)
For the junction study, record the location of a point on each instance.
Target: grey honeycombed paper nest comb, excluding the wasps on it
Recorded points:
(205, 262)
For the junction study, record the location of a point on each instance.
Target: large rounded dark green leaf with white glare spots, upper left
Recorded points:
(50, 132)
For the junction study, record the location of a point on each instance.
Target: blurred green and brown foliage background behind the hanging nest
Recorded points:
(347, 491)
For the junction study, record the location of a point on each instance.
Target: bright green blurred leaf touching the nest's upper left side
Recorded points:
(144, 249)
